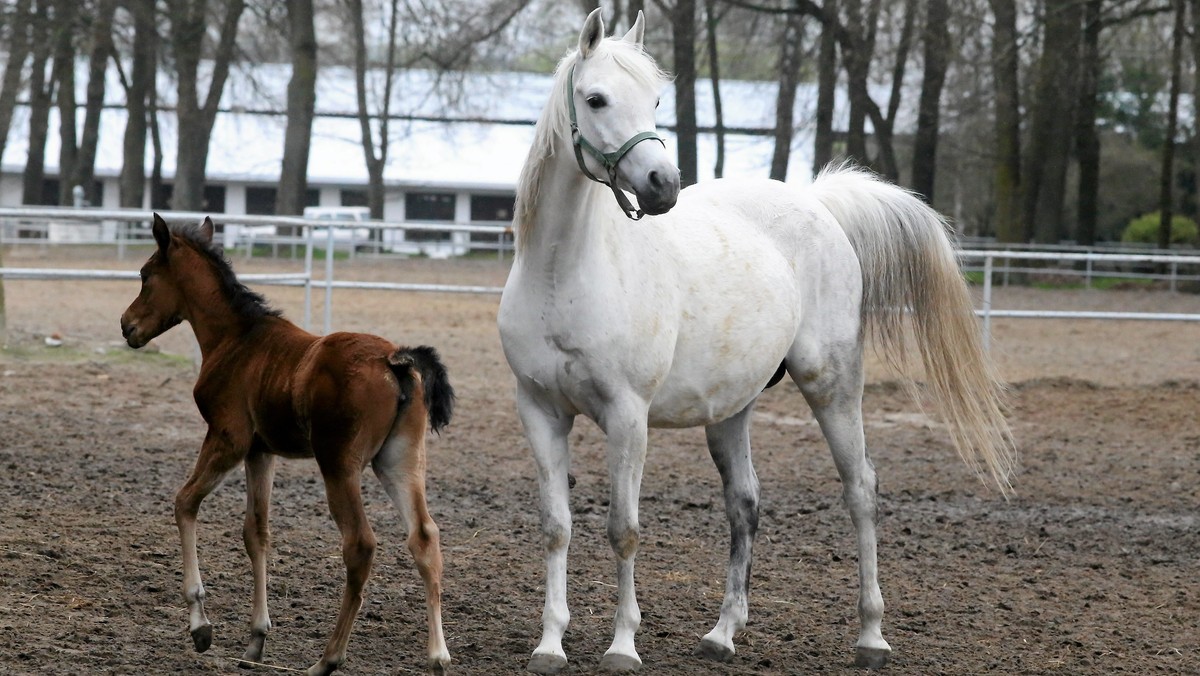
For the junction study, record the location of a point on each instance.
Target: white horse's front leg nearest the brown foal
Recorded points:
(547, 432)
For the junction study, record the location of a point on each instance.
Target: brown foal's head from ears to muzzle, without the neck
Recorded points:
(160, 304)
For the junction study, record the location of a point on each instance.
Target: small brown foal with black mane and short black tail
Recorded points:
(268, 388)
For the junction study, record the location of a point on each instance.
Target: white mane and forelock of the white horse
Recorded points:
(555, 121)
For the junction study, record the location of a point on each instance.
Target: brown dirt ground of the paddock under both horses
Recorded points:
(1093, 569)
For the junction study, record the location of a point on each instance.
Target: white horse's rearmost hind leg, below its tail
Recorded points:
(836, 396)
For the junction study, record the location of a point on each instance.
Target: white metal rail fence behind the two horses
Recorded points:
(123, 228)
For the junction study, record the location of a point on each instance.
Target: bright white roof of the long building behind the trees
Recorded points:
(248, 137)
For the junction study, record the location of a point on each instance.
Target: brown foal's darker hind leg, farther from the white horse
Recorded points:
(345, 496)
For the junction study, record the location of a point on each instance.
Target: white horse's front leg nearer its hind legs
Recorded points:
(626, 429)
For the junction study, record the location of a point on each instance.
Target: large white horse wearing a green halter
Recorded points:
(682, 319)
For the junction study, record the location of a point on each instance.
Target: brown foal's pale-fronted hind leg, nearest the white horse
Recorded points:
(400, 466)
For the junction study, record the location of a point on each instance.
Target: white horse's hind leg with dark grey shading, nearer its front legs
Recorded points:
(729, 442)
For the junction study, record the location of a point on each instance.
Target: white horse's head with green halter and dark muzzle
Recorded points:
(613, 92)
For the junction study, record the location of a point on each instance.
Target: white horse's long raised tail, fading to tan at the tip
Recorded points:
(909, 264)
